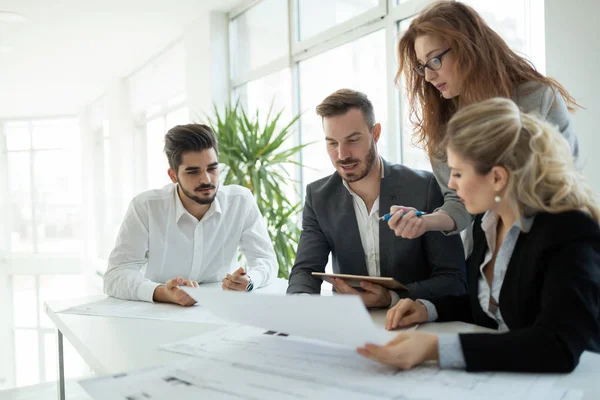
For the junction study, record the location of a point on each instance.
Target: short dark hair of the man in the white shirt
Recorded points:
(184, 138)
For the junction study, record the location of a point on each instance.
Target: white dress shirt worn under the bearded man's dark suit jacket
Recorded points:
(368, 228)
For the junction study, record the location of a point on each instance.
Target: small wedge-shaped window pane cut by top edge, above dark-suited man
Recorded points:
(319, 15)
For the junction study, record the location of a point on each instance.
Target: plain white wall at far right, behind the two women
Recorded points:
(573, 57)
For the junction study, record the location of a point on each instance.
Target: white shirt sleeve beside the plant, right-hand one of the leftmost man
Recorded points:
(257, 247)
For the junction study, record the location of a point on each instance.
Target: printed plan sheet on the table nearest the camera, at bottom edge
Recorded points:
(214, 380)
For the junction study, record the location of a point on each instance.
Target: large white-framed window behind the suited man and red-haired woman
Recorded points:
(352, 44)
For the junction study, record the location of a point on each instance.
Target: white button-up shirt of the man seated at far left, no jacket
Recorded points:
(158, 233)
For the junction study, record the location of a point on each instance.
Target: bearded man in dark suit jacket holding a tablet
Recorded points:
(341, 216)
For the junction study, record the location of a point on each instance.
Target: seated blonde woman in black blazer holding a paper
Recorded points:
(534, 273)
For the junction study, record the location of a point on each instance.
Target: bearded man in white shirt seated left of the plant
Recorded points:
(190, 230)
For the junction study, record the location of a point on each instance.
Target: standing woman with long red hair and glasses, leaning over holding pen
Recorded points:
(451, 58)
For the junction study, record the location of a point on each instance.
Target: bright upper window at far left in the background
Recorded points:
(44, 183)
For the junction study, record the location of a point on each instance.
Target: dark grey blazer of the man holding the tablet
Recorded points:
(430, 266)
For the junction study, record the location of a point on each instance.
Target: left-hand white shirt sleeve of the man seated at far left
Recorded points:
(123, 278)
